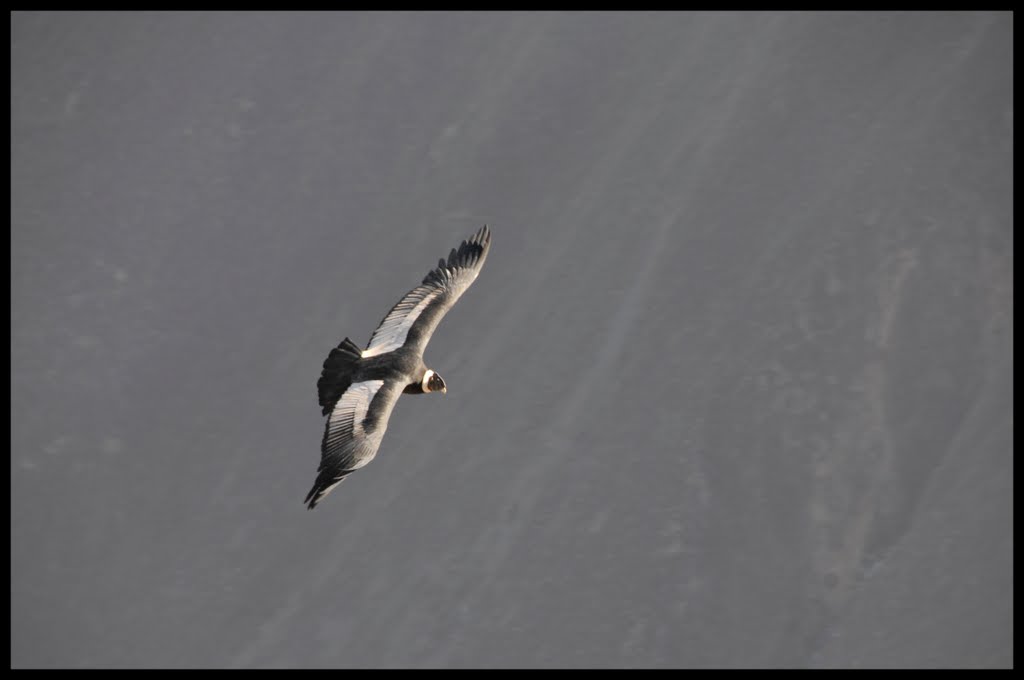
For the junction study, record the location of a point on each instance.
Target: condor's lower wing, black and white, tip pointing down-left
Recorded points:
(354, 434)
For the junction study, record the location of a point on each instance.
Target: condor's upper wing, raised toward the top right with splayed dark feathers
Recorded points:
(412, 322)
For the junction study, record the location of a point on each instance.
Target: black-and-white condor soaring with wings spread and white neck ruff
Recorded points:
(360, 388)
